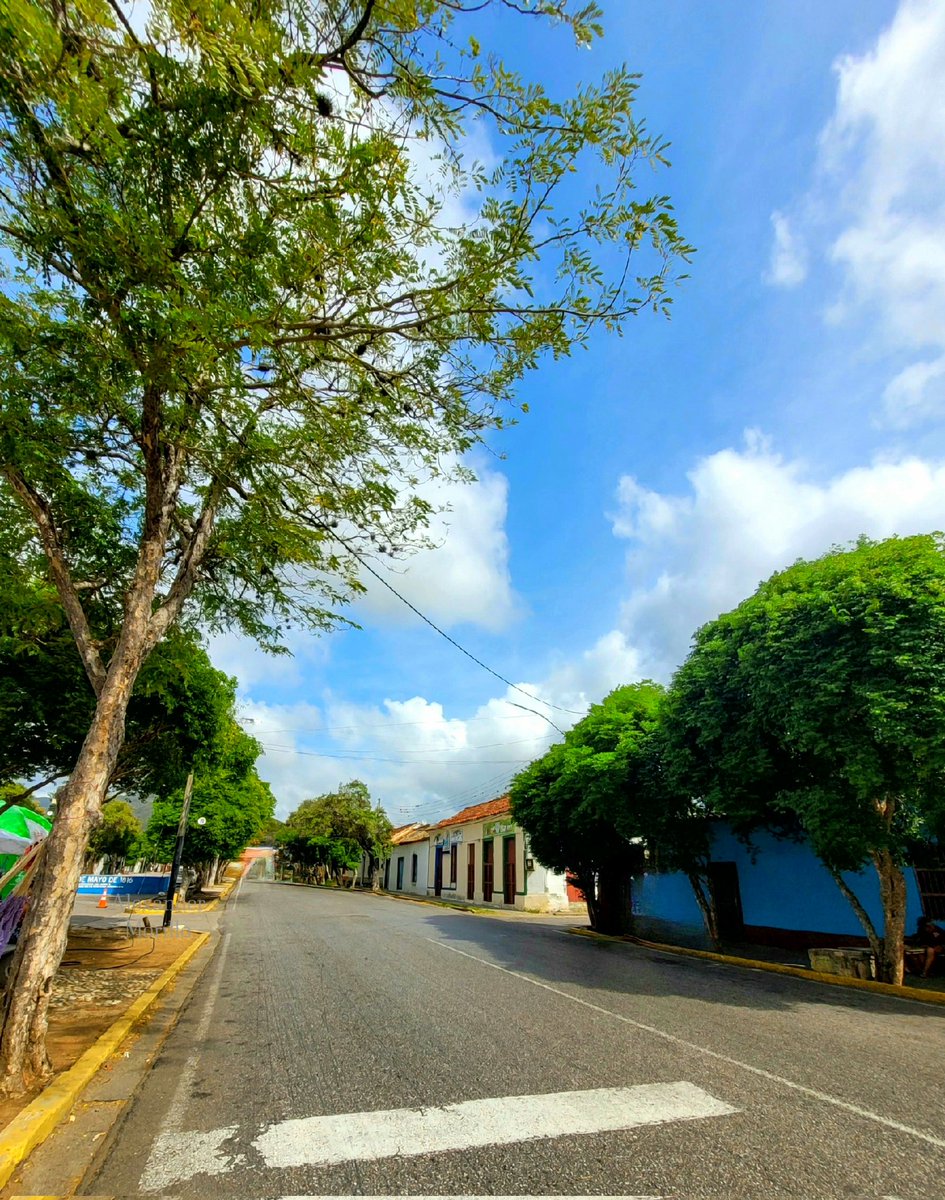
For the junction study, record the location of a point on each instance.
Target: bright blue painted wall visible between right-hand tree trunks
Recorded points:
(784, 886)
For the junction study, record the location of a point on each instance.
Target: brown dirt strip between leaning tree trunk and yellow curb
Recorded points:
(92, 991)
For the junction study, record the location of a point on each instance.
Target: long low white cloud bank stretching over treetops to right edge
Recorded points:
(745, 514)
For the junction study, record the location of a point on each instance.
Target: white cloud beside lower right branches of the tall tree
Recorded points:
(466, 577)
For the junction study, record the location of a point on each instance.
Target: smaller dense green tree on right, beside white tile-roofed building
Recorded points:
(586, 805)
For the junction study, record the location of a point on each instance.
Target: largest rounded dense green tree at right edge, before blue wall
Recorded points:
(820, 705)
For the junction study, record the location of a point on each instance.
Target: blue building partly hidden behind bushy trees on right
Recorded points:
(774, 892)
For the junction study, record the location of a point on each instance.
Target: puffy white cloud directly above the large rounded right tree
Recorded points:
(748, 514)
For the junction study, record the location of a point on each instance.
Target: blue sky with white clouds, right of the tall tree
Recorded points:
(793, 401)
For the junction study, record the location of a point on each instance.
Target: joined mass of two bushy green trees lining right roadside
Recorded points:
(815, 710)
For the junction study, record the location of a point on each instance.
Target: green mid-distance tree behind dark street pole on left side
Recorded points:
(231, 799)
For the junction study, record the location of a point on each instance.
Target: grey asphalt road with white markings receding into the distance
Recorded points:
(579, 1067)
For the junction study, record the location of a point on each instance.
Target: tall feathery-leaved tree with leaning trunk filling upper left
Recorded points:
(242, 321)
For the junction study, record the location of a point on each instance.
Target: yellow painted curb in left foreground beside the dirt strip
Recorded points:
(40, 1118)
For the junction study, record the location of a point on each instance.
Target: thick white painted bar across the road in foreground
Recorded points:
(363, 1137)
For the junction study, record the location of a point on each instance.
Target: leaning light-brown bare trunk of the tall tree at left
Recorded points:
(23, 1058)
